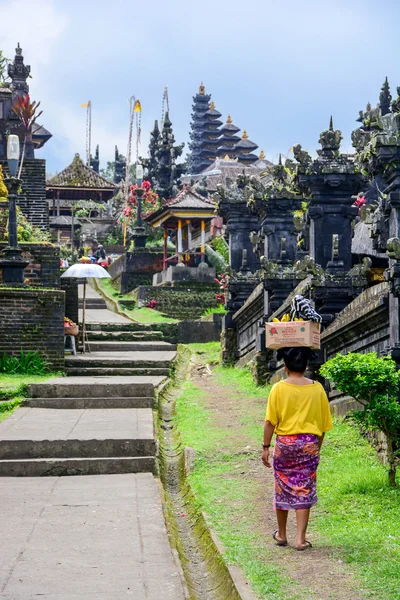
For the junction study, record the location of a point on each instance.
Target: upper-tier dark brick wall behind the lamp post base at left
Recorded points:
(44, 264)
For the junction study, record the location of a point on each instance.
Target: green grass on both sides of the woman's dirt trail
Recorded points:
(357, 515)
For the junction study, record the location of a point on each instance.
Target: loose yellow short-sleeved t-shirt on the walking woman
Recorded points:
(295, 409)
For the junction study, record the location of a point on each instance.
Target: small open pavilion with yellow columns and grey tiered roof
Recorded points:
(189, 215)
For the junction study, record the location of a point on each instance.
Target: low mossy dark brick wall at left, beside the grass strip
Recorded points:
(33, 320)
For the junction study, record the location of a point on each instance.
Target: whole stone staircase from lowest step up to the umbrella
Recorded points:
(98, 419)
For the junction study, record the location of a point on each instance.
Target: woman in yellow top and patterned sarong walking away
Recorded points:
(298, 413)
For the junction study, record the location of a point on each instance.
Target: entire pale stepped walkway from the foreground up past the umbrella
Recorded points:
(92, 537)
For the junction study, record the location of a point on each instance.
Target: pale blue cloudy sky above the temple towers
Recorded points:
(280, 68)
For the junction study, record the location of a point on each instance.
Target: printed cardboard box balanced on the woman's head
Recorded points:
(293, 334)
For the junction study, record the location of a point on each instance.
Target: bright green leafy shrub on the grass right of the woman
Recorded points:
(374, 383)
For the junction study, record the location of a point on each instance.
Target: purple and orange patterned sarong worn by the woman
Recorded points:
(296, 459)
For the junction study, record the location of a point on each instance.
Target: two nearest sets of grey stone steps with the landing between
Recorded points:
(82, 426)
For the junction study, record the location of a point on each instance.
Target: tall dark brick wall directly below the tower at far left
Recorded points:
(32, 199)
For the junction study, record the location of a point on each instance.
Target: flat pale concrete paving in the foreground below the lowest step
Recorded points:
(97, 537)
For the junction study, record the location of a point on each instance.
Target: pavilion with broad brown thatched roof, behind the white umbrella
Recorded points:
(76, 182)
